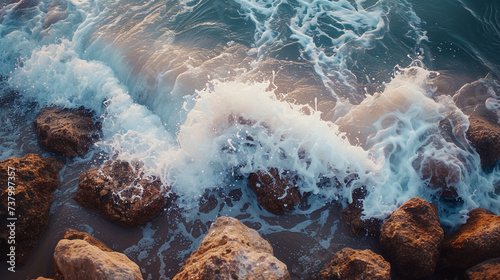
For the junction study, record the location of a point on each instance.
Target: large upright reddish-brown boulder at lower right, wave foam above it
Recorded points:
(412, 238)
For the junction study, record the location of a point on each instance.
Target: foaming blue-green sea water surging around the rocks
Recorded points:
(345, 94)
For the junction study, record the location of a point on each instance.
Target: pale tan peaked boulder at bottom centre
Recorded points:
(230, 250)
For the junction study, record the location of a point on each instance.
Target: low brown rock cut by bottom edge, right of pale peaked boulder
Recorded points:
(356, 264)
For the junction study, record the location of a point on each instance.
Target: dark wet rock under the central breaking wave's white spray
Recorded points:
(275, 192)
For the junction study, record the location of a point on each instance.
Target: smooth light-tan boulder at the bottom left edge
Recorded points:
(80, 256)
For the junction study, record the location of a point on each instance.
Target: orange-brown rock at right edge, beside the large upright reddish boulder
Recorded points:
(474, 242)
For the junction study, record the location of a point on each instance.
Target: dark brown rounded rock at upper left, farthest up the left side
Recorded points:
(66, 132)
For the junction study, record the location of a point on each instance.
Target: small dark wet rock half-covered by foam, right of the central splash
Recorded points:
(353, 216)
